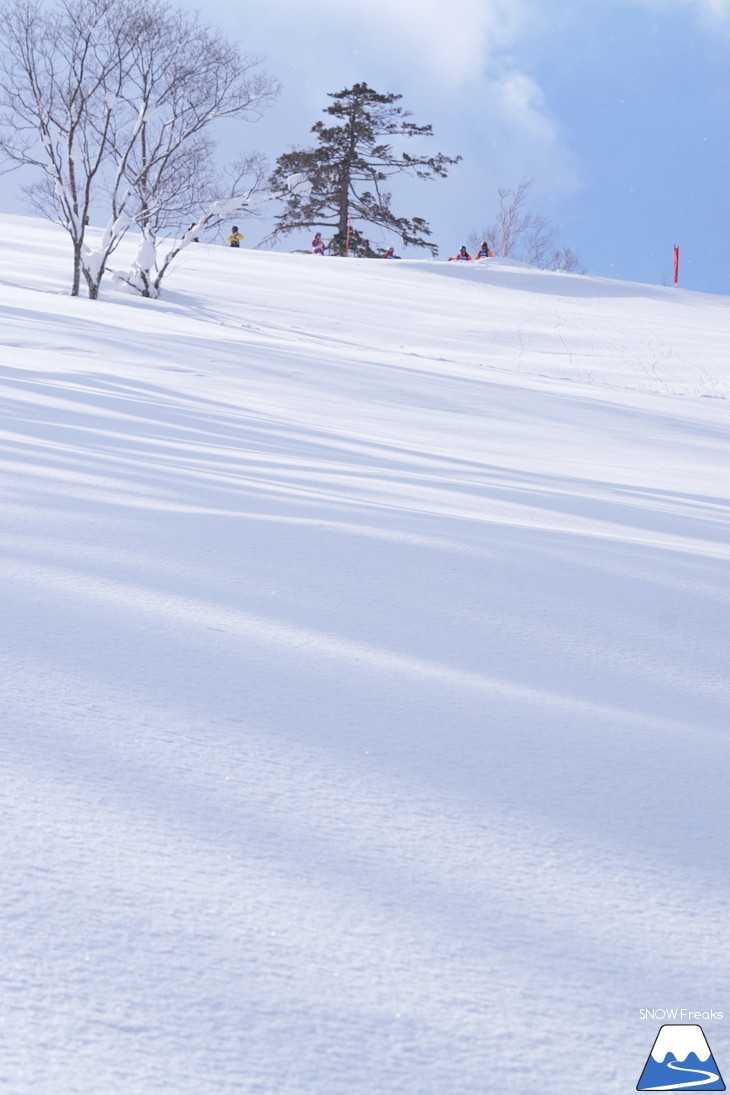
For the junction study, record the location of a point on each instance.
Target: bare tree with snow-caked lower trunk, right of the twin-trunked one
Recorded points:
(182, 79)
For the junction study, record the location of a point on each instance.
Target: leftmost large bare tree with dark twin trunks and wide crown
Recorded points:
(117, 101)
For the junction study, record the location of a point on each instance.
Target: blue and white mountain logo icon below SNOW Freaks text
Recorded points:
(681, 1061)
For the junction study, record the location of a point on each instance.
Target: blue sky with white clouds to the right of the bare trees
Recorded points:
(620, 111)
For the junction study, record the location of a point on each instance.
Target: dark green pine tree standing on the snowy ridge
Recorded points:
(347, 170)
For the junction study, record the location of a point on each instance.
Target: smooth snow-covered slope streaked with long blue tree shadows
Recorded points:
(365, 676)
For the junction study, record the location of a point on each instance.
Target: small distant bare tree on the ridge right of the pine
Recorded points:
(522, 234)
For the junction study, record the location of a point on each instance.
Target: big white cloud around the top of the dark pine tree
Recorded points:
(458, 66)
